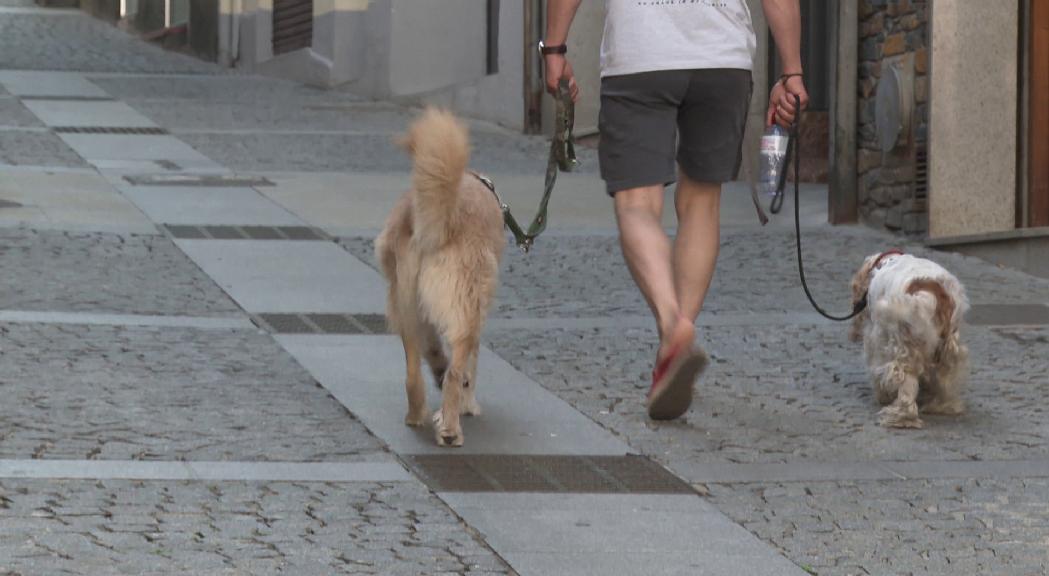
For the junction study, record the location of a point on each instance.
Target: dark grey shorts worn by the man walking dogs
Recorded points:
(650, 120)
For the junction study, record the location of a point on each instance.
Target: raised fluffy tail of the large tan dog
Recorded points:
(440, 145)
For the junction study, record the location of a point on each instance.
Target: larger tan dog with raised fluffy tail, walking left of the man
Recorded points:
(440, 251)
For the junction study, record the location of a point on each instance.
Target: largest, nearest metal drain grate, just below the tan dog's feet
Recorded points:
(629, 475)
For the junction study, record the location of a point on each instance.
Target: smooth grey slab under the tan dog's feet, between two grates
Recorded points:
(519, 418)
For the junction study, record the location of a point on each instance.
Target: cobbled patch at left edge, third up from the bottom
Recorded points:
(104, 273)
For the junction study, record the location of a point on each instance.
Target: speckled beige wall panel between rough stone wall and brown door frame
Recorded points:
(973, 118)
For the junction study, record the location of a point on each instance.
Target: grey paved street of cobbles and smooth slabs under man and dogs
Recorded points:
(191, 391)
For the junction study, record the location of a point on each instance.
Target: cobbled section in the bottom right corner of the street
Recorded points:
(938, 527)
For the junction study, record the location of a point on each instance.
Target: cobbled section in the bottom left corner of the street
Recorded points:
(210, 529)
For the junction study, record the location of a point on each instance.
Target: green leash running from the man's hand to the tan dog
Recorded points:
(563, 158)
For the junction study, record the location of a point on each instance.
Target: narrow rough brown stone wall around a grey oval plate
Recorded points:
(892, 31)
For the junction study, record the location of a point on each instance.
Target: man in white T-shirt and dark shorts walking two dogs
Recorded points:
(676, 87)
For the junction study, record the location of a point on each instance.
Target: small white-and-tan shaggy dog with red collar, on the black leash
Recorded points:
(912, 336)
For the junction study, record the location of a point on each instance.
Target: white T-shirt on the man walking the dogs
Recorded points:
(645, 36)
